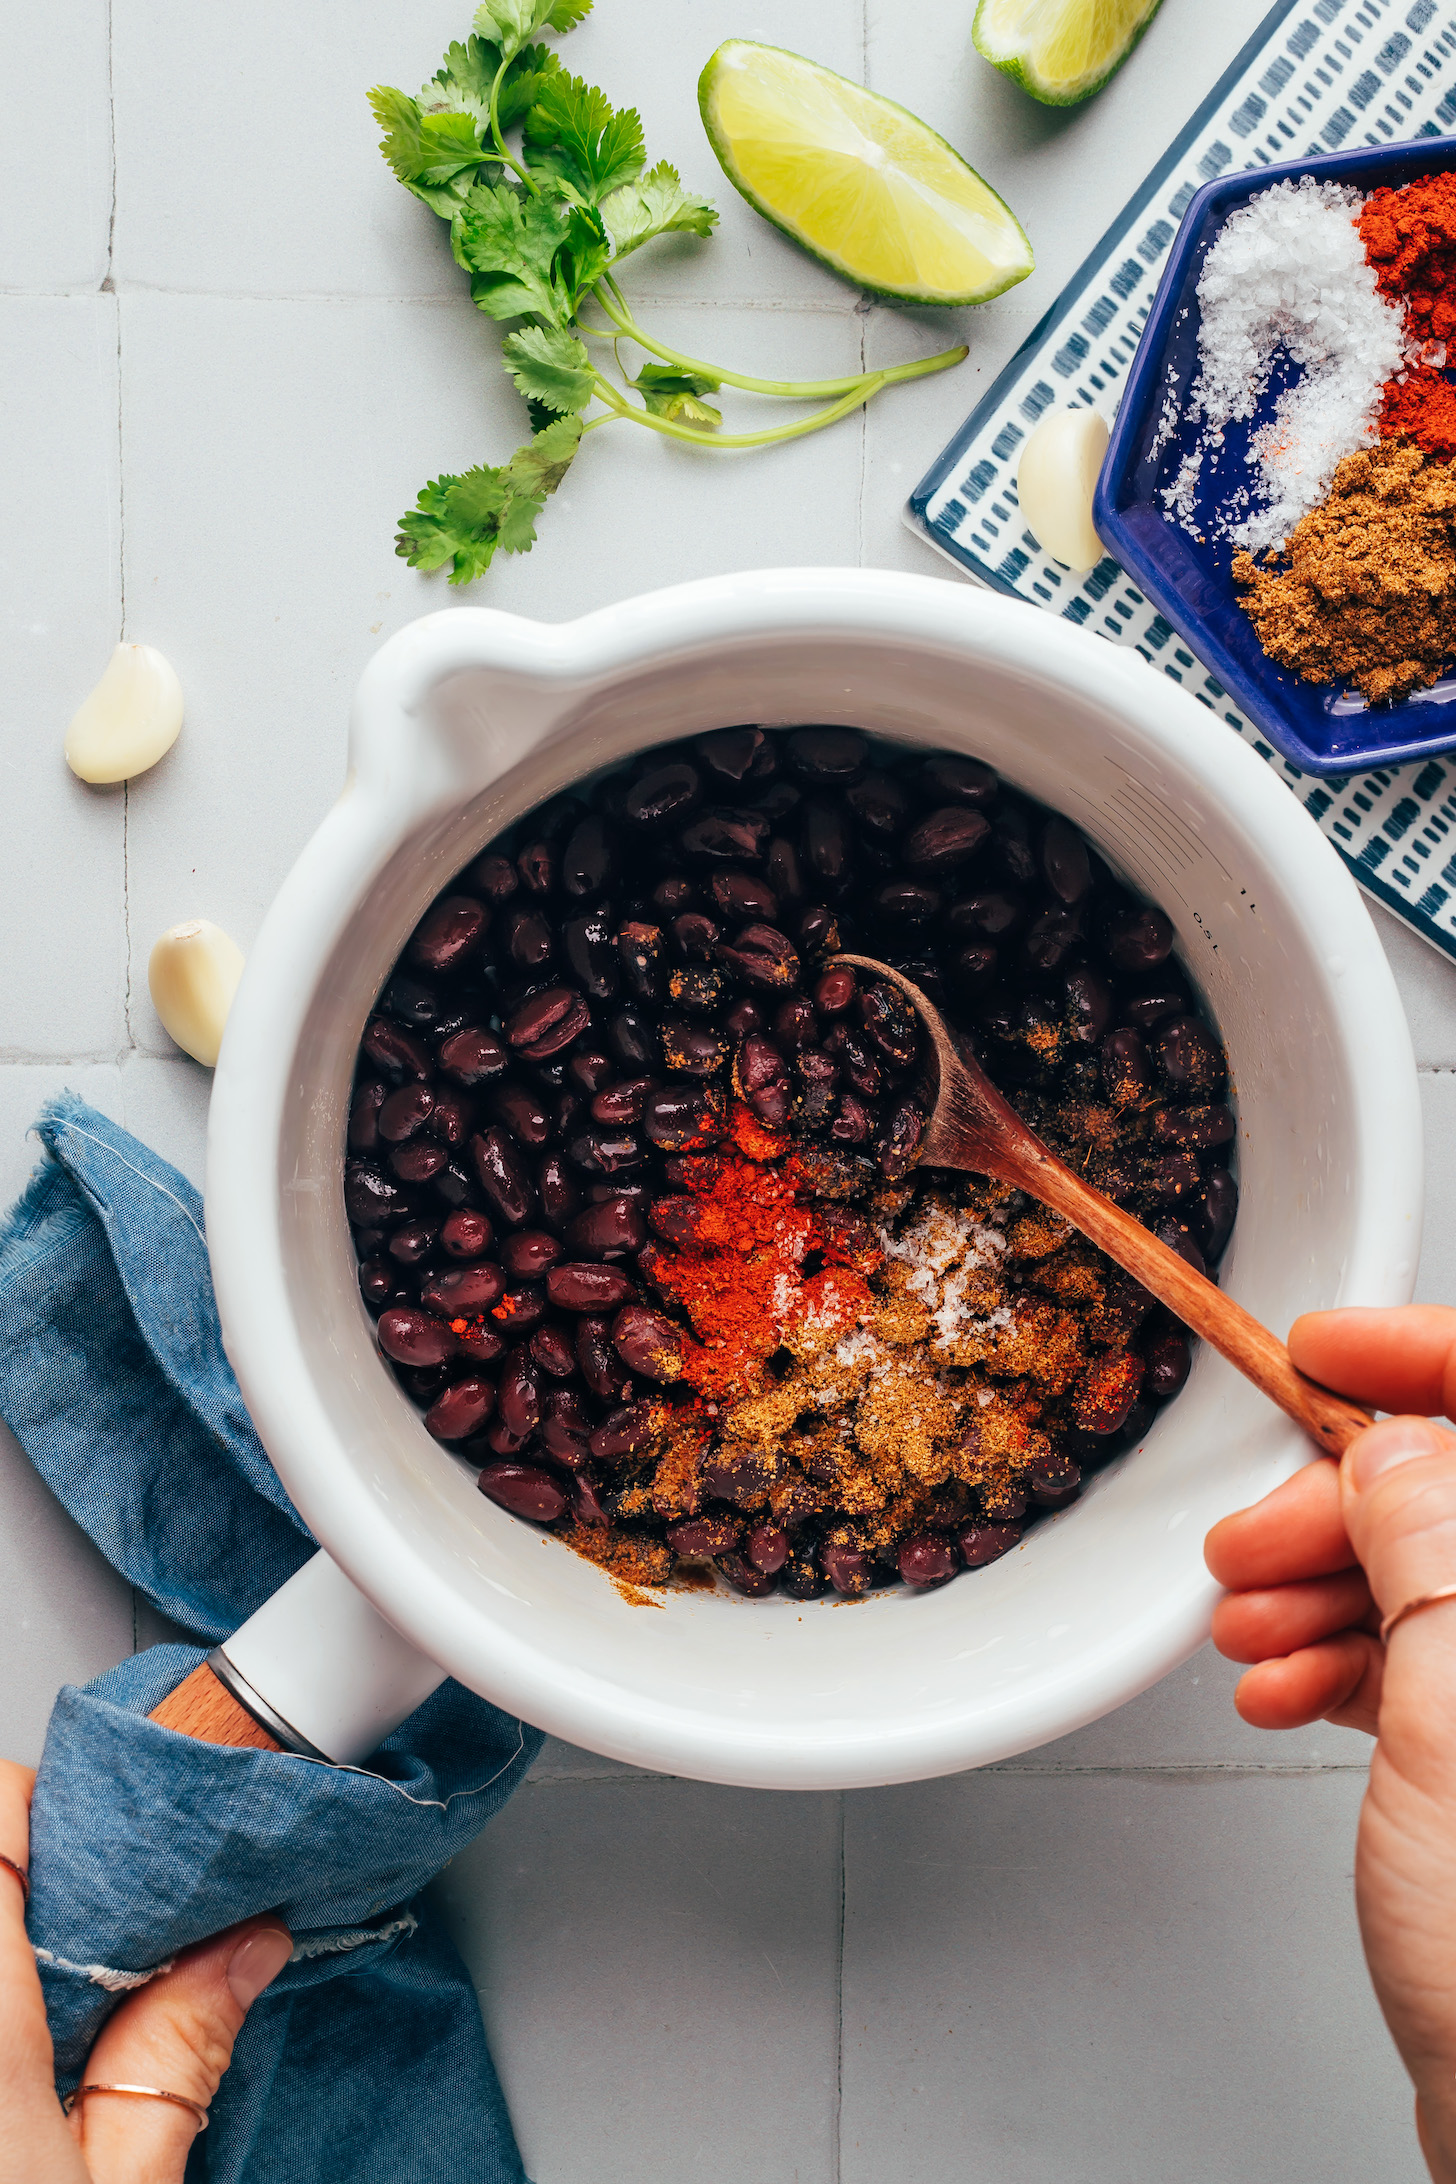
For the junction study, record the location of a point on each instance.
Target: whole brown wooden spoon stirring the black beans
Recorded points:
(975, 1128)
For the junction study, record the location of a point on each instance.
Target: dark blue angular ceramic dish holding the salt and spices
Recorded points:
(1322, 728)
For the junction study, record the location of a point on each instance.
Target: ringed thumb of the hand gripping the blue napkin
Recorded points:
(178, 2037)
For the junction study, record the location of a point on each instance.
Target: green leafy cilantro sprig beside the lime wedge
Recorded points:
(547, 191)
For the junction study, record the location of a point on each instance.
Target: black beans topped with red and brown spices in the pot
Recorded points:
(634, 1165)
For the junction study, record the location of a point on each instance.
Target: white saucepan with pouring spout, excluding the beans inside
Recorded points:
(468, 720)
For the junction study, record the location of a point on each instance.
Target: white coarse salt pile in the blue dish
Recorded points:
(1287, 276)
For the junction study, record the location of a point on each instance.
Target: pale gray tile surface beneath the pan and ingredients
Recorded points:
(1125, 1958)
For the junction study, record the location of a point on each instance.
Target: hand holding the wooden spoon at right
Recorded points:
(1311, 1574)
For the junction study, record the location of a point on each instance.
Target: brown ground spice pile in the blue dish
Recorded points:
(1365, 589)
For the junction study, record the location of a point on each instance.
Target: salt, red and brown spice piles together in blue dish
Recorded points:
(1348, 484)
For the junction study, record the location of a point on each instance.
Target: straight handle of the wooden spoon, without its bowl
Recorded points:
(1330, 1421)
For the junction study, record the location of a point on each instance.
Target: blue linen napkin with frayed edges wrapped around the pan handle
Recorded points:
(366, 2061)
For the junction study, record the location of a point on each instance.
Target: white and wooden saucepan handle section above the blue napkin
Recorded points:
(315, 1672)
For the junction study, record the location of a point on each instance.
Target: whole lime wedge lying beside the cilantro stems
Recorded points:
(857, 180)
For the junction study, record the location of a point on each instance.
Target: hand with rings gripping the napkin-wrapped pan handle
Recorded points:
(176, 2032)
